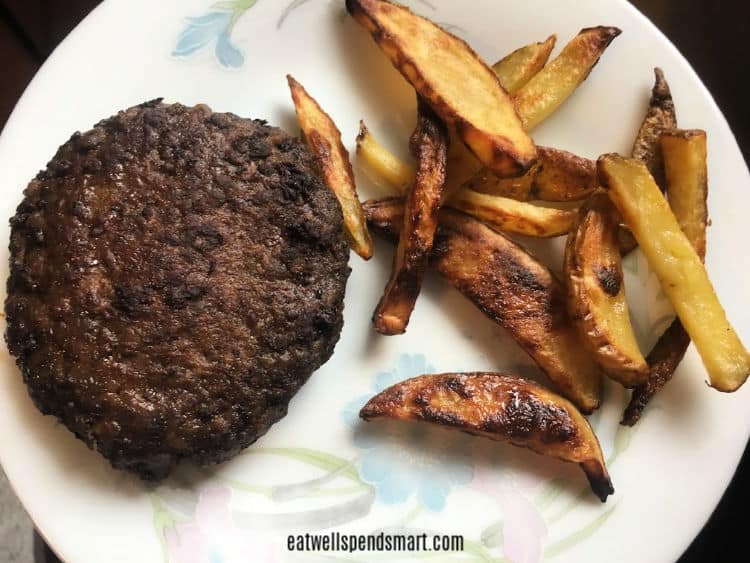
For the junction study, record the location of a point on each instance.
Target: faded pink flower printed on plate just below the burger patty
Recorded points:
(211, 537)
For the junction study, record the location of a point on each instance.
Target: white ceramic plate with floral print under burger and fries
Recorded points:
(319, 469)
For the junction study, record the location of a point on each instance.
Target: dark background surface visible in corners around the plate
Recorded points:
(711, 34)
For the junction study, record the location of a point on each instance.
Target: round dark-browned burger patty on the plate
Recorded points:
(175, 276)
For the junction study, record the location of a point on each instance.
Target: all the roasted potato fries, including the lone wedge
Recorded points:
(475, 179)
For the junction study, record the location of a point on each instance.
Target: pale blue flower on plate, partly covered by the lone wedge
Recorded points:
(401, 459)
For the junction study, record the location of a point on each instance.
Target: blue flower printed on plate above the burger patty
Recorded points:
(216, 26)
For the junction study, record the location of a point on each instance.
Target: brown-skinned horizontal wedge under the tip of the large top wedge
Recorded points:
(557, 176)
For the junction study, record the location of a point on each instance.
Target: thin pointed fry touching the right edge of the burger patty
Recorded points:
(324, 140)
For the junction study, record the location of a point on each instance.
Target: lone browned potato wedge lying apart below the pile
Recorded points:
(502, 408)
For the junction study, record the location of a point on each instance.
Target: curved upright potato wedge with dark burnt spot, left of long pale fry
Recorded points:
(596, 293)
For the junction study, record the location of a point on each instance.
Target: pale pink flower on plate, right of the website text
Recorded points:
(524, 530)
